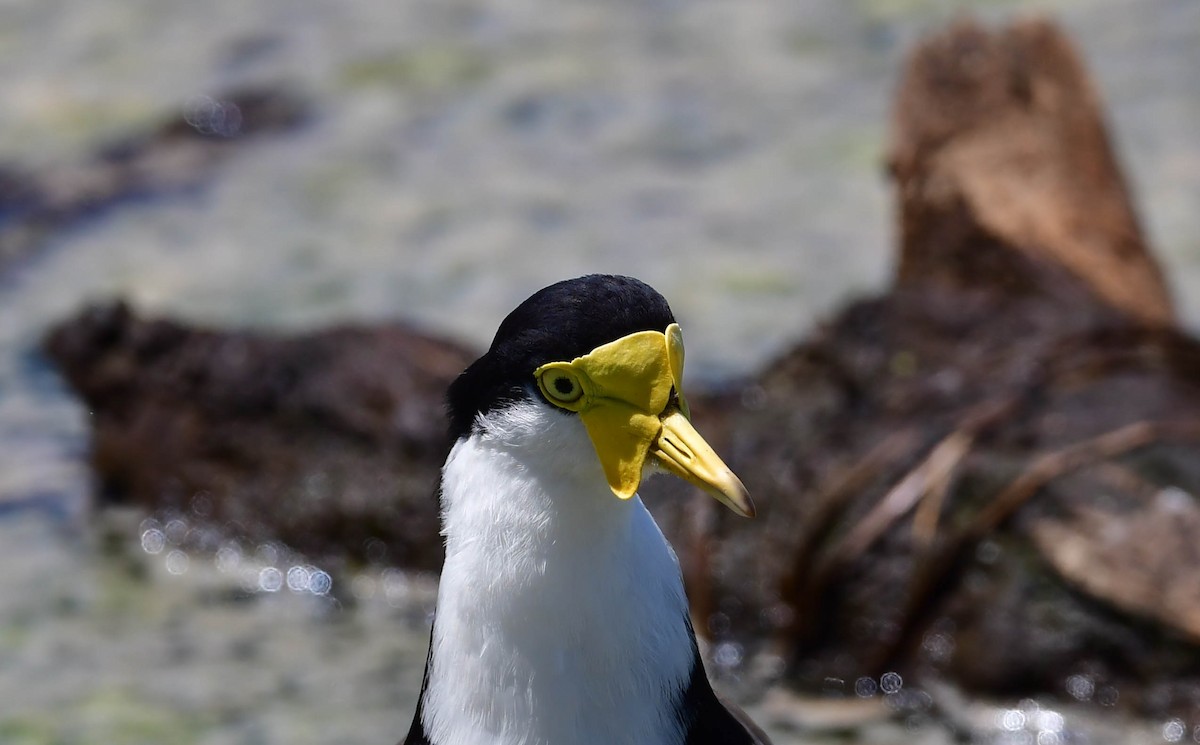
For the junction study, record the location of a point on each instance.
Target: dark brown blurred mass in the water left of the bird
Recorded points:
(331, 442)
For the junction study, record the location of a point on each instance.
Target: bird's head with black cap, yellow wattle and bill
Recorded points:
(608, 351)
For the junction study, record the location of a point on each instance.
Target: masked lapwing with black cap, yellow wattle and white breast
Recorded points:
(561, 616)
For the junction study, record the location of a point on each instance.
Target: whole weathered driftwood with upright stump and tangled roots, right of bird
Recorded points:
(926, 465)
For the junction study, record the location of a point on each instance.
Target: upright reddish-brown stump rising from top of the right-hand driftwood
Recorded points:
(1004, 172)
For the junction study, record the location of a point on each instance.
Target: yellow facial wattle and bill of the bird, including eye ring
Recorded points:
(629, 395)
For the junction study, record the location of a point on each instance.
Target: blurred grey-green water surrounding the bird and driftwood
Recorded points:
(436, 163)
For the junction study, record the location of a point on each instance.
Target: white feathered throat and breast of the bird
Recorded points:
(561, 614)
